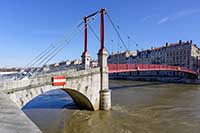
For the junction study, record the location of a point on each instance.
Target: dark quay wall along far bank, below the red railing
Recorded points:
(169, 77)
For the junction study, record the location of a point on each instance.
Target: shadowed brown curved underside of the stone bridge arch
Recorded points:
(80, 99)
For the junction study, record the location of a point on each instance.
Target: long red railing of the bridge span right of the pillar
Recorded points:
(115, 68)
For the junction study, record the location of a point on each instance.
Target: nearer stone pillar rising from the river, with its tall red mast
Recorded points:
(105, 93)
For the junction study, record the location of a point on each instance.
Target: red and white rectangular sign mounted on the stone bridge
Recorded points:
(59, 80)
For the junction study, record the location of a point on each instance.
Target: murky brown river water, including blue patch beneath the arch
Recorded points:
(137, 107)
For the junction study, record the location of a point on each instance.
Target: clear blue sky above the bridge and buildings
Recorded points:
(29, 26)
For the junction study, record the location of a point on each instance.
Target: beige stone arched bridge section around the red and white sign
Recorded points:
(84, 87)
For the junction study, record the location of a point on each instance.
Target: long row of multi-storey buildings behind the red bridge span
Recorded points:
(184, 54)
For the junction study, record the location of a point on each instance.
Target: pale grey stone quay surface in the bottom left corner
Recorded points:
(12, 119)
